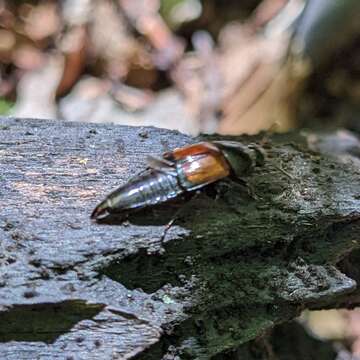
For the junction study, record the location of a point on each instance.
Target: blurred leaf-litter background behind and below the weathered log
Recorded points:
(207, 66)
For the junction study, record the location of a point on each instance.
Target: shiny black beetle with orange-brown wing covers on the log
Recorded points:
(182, 170)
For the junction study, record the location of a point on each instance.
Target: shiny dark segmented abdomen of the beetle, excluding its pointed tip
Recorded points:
(149, 189)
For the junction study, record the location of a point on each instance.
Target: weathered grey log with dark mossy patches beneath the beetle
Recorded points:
(231, 266)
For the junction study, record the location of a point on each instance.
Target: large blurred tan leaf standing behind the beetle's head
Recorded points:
(258, 87)
